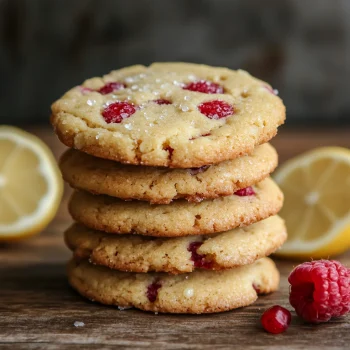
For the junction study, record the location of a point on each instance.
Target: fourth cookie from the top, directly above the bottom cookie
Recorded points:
(132, 253)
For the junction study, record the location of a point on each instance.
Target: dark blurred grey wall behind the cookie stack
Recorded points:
(302, 47)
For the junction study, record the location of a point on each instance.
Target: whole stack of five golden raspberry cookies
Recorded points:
(174, 207)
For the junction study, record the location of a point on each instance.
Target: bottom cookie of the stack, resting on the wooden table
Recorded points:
(202, 291)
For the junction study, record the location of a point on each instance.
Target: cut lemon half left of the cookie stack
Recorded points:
(30, 184)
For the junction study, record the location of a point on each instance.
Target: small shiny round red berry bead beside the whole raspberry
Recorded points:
(276, 319)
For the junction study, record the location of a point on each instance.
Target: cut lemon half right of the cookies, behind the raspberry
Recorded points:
(316, 209)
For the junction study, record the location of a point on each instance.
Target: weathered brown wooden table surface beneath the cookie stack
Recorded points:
(38, 308)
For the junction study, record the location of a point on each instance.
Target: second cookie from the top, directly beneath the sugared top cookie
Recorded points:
(161, 185)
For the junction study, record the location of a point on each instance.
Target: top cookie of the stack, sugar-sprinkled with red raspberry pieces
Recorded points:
(179, 115)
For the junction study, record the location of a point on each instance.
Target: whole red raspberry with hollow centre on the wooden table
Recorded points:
(320, 290)
